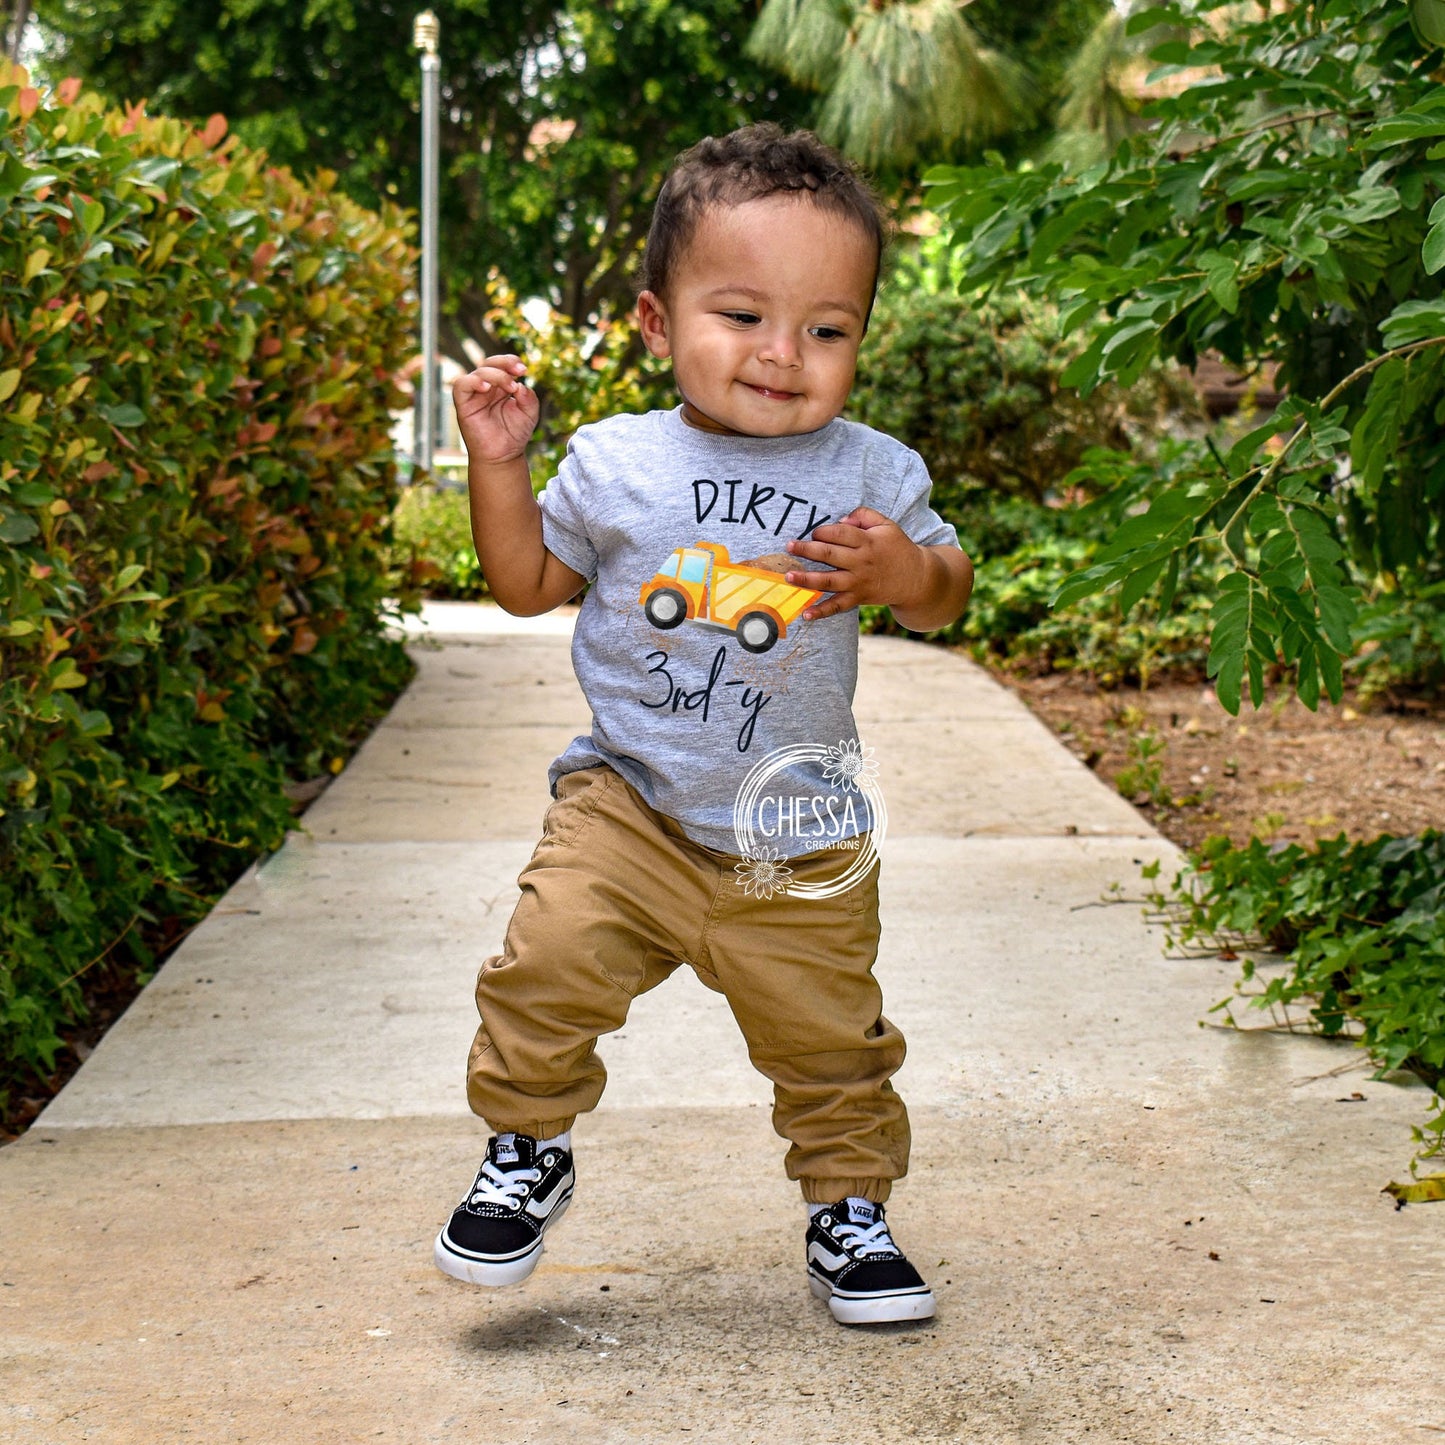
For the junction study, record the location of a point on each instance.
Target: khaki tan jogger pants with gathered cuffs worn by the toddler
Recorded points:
(616, 898)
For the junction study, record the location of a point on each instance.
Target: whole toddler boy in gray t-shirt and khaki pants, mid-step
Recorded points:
(728, 543)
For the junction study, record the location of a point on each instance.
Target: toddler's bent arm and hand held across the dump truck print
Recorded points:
(878, 563)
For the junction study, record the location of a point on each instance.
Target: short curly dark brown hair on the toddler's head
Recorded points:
(749, 165)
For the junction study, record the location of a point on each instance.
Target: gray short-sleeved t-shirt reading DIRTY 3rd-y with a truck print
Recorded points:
(689, 647)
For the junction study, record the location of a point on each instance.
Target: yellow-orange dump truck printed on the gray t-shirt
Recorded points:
(700, 585)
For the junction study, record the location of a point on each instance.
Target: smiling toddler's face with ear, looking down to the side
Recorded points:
(764, 317)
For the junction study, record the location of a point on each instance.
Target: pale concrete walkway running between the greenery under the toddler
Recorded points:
(1138, 1230)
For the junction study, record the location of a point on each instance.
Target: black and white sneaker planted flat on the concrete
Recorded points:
(856, 1267)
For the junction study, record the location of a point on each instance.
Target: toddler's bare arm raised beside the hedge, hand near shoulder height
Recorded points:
(498, 415)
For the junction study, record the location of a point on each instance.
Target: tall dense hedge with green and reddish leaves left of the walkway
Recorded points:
(196, 496)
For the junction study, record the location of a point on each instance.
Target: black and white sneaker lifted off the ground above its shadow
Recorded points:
(495, 1236)
